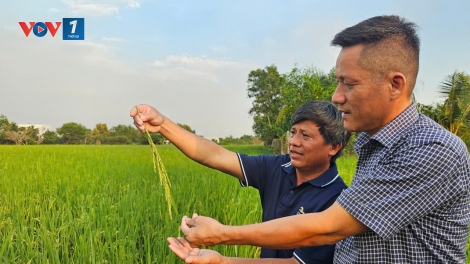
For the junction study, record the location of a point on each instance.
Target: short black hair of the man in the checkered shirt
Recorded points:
(390, 44)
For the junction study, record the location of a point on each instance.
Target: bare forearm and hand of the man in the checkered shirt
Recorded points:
(313, 229)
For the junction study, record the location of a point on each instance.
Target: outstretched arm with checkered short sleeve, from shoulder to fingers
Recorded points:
(406, 187)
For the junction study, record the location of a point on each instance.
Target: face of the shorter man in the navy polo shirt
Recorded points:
(307, 148)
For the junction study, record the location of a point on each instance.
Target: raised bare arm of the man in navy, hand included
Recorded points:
(195, 147)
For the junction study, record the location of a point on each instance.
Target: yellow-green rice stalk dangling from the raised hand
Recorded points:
(158, 163)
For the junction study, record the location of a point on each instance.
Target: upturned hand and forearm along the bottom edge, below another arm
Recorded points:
(183, 250)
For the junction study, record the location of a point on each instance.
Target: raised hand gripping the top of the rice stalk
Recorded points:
(148, 117)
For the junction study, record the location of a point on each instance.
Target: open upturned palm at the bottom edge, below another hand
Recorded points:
(184, 251)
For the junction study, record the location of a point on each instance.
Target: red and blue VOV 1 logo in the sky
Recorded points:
(72, 28)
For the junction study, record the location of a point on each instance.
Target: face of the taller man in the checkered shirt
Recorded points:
(364, 103)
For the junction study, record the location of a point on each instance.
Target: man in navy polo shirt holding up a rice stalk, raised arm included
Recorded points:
(304, 181)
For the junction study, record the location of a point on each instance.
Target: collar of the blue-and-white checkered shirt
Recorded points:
(393, 131)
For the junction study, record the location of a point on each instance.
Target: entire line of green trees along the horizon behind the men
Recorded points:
(275, 98)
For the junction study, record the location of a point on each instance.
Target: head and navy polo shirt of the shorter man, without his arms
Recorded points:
(304, 181)
